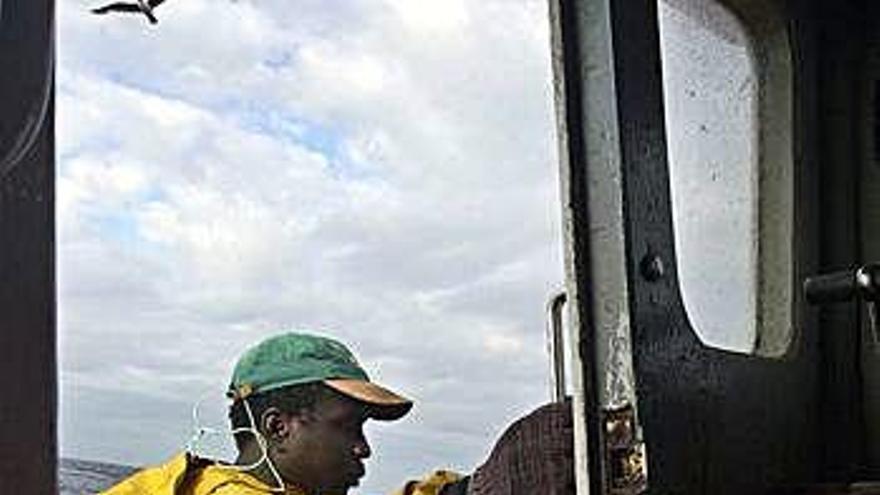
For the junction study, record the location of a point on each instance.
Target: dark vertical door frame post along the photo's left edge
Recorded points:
(28, 423)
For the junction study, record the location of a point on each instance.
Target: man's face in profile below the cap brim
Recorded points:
(325, 448)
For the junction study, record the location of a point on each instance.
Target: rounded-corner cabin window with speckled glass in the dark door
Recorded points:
(726, 98)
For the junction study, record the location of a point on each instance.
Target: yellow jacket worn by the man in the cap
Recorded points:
(186, 475)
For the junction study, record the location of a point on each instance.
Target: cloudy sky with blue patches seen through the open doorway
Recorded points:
(382, 171)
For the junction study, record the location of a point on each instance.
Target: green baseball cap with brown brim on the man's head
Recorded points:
(299, 358)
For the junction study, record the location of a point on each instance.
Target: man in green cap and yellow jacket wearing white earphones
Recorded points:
(299, 405)
